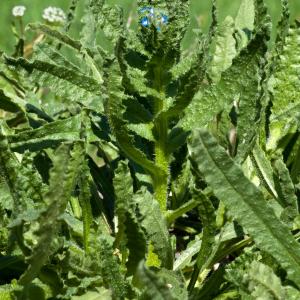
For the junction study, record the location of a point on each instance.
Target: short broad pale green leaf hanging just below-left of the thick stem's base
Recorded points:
(155, 226)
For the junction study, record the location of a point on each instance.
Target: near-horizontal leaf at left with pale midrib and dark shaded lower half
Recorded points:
(48, 135)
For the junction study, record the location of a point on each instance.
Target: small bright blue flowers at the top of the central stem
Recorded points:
(149, 16)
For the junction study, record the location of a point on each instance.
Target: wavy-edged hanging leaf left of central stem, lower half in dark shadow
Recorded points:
(129, 228)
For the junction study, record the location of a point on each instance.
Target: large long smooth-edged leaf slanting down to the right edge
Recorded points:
(237, 193)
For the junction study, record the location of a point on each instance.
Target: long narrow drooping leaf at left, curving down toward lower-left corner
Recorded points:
(63, 175)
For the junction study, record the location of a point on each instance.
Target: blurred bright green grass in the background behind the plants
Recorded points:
(200, 13)
